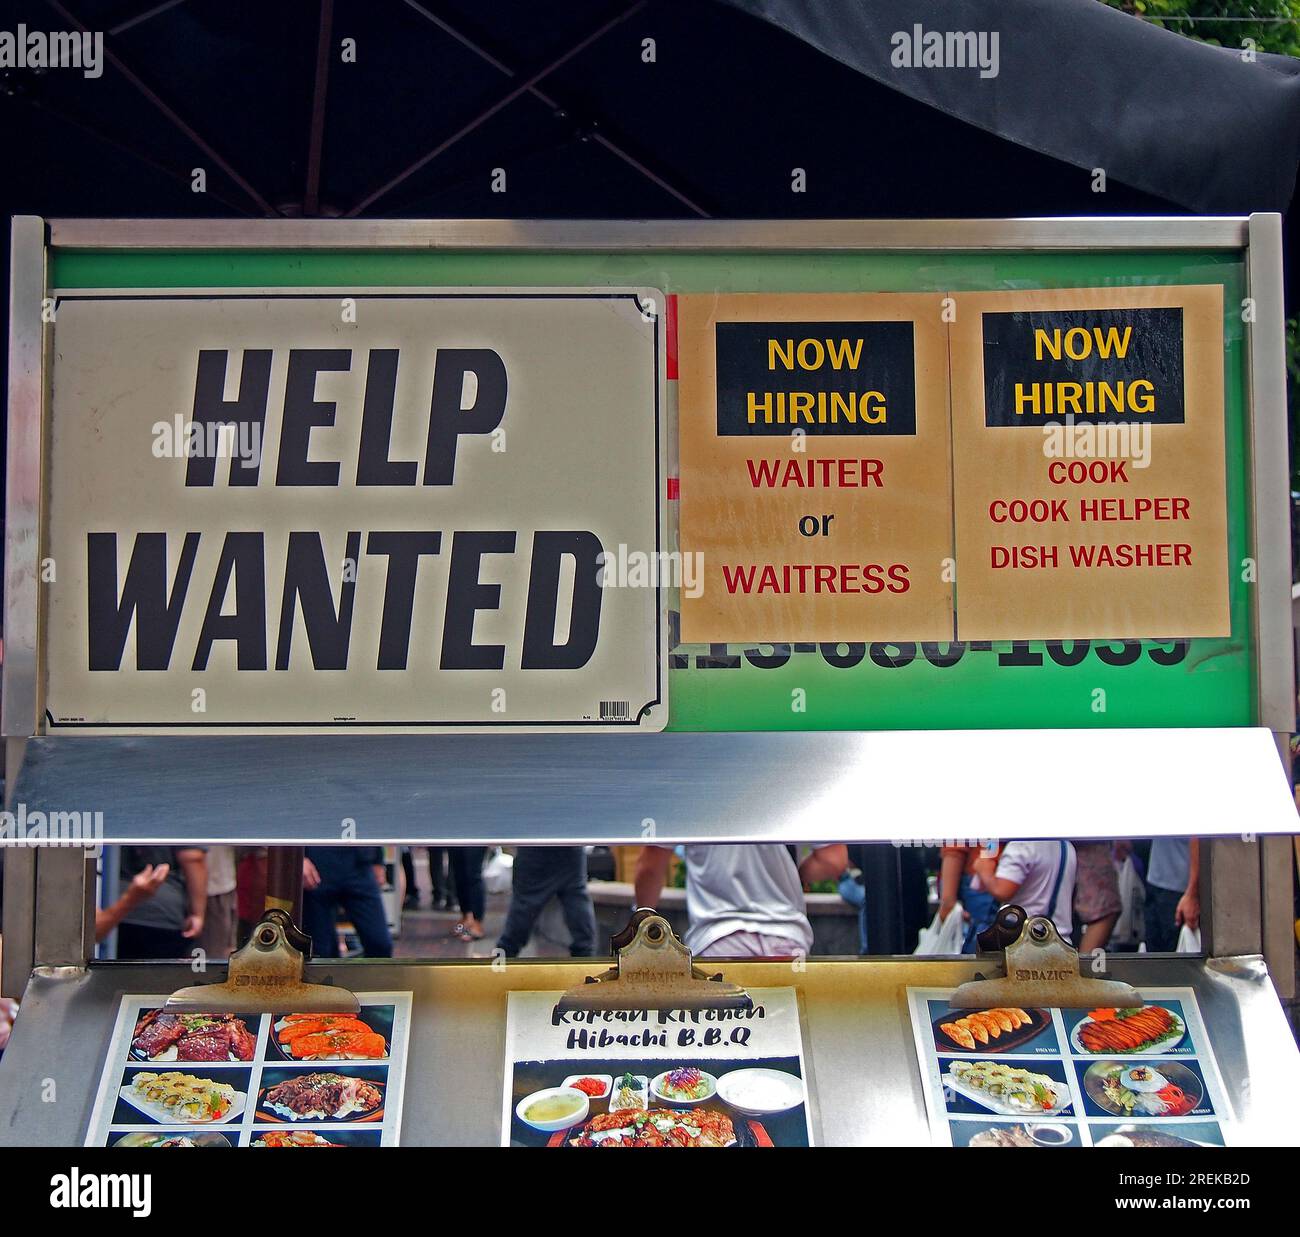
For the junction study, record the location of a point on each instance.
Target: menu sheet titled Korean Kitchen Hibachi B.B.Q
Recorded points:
(656, 1078)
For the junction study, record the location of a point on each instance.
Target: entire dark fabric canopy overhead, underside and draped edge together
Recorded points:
(565, 98)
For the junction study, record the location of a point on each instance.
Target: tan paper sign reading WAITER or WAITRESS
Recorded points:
(816, 467)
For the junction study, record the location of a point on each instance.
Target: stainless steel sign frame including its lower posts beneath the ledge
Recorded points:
(1250, 900)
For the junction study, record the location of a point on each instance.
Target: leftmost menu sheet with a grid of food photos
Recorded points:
(258, 1080)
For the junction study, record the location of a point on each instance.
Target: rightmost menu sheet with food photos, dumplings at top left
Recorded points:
(1050, 1078)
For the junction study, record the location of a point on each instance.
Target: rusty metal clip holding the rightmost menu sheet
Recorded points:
(1039, 970)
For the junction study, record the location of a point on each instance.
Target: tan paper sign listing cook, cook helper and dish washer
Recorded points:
(1090, 476)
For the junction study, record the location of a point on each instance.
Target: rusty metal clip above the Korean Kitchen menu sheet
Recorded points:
(653, 971)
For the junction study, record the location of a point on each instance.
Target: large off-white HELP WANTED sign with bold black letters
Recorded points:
(293, 510)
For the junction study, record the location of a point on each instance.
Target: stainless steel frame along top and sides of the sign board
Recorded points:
(1258, 237)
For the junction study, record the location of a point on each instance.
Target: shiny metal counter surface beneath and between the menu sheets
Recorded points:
(864, 1077)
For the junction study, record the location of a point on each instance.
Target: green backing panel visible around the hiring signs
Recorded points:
(801, 687)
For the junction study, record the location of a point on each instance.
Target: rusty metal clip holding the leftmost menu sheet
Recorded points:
(267, 978)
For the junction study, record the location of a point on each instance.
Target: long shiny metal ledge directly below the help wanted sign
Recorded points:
(681, 787)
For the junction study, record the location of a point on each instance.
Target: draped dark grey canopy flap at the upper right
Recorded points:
(1091, 86)
